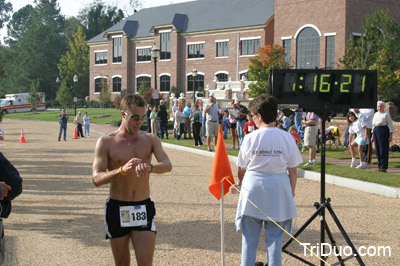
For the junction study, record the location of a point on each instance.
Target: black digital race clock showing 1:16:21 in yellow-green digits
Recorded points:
(330, 90)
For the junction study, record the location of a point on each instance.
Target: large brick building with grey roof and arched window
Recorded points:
(217, 37)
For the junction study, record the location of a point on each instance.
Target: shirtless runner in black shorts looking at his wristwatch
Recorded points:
(123, 160)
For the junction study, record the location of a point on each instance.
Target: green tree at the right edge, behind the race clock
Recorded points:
(377, 49)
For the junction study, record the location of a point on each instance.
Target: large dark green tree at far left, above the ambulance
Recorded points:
(36, 43)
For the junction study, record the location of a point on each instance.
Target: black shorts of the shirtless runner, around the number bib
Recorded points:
(112, 217)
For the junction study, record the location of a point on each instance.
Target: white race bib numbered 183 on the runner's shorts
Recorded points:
(133, 215)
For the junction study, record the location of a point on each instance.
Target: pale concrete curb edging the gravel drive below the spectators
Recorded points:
(386, 191)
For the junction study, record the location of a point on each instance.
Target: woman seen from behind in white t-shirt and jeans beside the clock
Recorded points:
(267, 172)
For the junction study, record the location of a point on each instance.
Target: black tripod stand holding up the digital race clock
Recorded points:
(321, 206)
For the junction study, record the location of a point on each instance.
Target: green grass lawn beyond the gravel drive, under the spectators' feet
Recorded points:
(107, 116)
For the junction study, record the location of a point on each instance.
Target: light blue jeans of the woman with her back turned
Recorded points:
(251, 229)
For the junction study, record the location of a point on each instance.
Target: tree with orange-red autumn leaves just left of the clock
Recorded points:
(269, 57)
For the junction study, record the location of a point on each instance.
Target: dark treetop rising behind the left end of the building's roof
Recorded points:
(97, 17)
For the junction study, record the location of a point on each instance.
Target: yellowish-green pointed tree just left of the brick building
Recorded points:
(76, 62)
